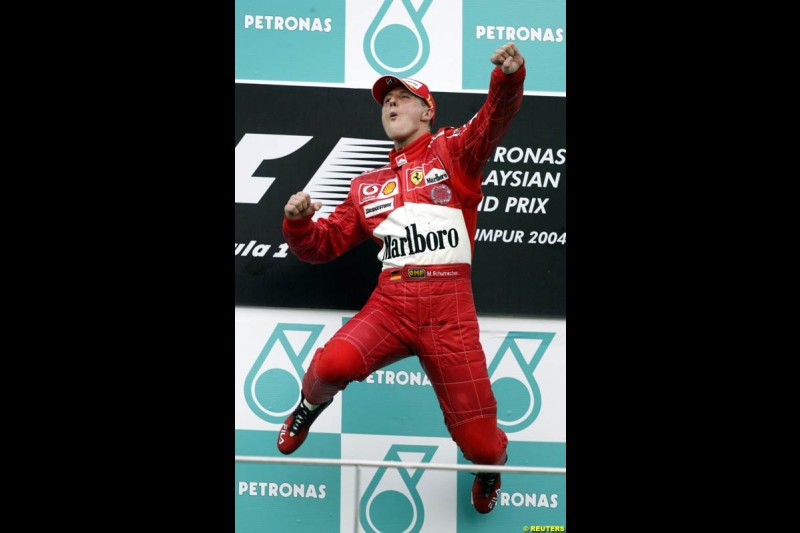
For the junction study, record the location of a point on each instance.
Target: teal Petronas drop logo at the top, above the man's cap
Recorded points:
(396, 42)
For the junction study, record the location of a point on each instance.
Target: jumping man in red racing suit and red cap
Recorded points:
(421, 209)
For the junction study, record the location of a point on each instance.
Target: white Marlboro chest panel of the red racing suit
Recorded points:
(423, 234)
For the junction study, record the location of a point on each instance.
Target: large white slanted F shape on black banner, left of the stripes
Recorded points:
(251, 151)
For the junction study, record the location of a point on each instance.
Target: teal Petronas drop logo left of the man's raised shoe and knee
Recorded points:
(272, 386)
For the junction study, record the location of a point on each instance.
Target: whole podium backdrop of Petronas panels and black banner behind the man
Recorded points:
(304, 119)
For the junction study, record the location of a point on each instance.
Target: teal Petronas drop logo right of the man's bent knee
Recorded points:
(519, 399)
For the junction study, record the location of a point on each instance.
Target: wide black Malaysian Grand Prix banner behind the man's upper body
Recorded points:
(288, 137)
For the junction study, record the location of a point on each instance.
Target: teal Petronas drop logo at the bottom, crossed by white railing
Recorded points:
(392, 502)
